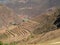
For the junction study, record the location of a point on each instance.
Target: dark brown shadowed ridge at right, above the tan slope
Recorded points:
(47, 19)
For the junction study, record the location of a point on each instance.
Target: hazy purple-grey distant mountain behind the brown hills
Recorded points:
(31, 7)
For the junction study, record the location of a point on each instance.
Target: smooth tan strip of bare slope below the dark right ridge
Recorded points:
(45, 37)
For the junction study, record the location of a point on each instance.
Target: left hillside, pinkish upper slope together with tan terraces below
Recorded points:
(12, 27)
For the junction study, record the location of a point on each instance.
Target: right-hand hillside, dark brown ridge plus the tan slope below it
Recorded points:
(49, 26)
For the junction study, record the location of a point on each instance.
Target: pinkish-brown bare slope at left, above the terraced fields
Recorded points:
(6, 15)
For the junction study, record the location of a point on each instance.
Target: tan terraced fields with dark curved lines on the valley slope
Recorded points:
(18, 32)
